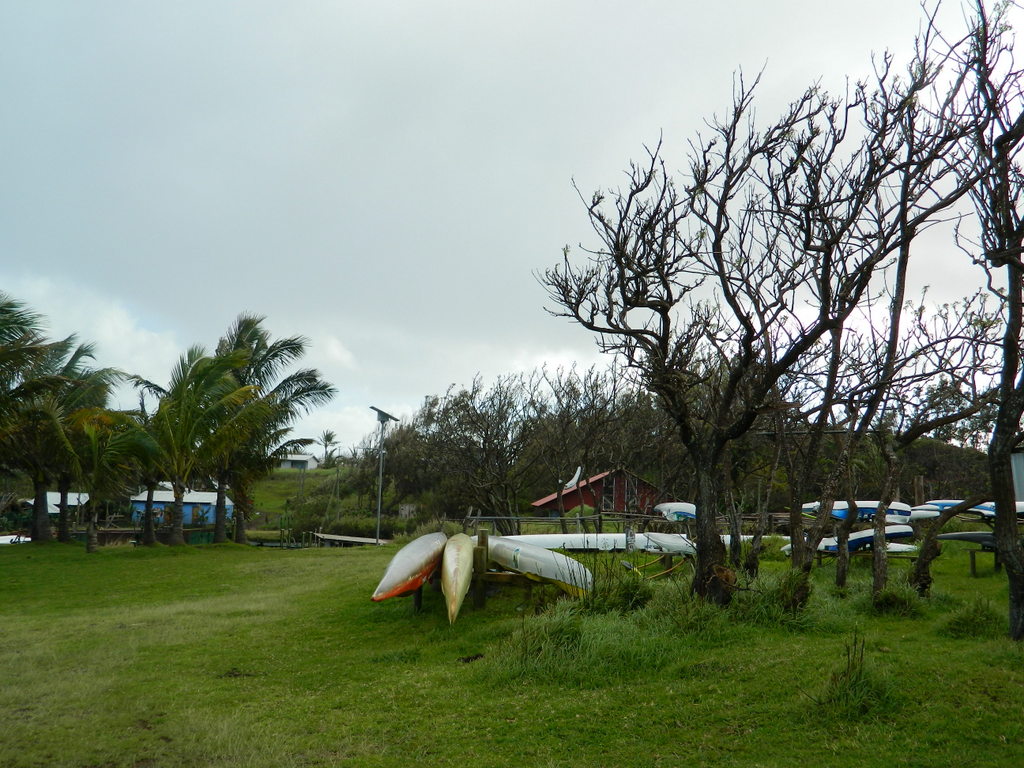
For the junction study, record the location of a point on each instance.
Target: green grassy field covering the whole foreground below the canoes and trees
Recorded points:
(244, 657)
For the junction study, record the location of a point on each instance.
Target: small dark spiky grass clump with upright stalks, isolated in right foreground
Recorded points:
(858, 690)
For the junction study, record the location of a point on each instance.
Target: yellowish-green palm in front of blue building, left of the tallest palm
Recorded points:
(202, 402)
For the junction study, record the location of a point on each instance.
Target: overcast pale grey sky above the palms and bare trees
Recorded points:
(382, 178)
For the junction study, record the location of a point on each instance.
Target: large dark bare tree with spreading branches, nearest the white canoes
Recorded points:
(713, 290)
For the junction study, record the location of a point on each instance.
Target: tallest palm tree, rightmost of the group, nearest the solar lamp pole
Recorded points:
(282, 399)
